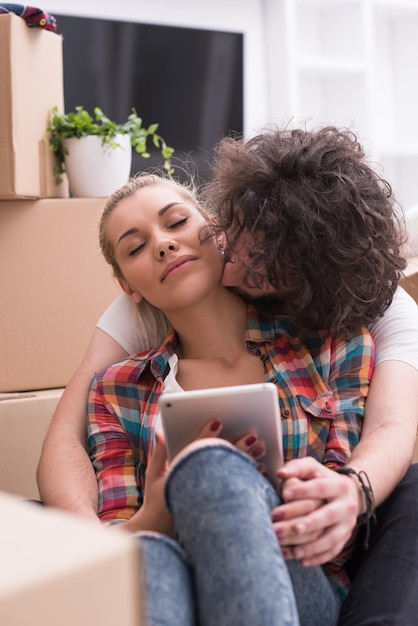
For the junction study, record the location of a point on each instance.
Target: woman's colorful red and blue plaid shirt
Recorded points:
(322, 383)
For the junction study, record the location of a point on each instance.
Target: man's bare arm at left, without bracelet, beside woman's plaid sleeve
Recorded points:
(66, 477)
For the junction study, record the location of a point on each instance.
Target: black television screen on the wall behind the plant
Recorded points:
(188, 80)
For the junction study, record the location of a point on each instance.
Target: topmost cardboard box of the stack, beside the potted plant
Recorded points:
(31, 79)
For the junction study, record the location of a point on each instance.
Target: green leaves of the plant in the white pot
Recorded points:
(80, 123)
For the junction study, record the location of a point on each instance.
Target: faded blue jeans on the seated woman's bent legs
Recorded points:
(226, 568)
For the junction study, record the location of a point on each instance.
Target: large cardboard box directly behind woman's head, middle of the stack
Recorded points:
(54, 285)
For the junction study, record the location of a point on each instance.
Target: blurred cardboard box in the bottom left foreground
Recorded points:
(60, 569)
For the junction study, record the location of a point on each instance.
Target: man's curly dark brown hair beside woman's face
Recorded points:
(324, 227)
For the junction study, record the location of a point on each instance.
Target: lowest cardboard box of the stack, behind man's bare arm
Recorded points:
(24, 421)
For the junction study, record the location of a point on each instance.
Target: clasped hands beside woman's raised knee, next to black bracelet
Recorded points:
(319, 512)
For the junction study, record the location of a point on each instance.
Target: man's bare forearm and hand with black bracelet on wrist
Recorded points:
(384, 453)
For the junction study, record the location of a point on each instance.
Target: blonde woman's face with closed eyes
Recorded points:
(156, 238)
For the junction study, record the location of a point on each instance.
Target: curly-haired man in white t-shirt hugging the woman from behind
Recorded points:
(385, 448)
